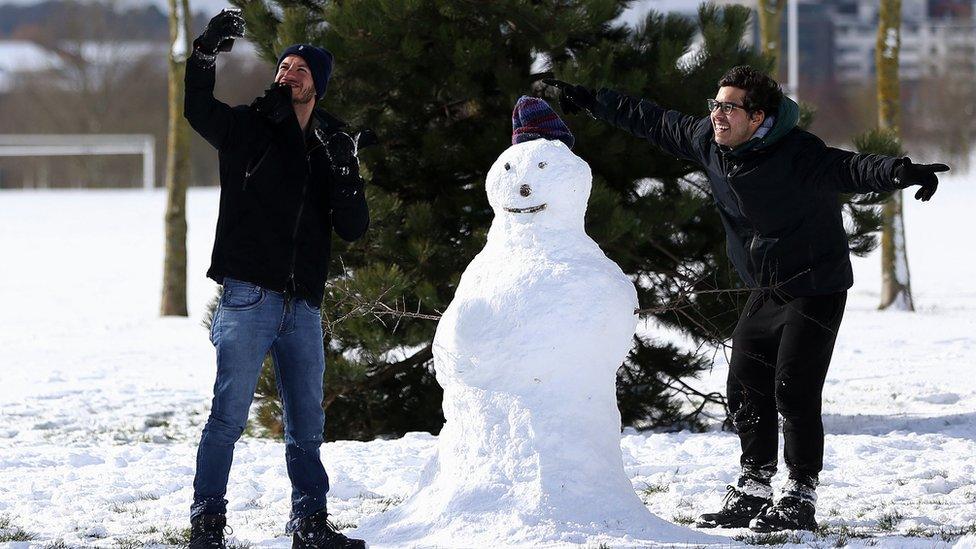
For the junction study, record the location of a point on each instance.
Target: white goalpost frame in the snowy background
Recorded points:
(85, 144)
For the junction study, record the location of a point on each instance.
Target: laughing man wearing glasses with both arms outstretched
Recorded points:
(777, 189)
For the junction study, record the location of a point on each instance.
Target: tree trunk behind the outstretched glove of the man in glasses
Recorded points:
(896, 289)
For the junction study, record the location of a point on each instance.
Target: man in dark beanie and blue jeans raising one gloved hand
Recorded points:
(289, 176)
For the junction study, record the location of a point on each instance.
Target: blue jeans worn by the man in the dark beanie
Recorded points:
(249, 322)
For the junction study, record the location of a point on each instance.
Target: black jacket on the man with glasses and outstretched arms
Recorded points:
(778, 197)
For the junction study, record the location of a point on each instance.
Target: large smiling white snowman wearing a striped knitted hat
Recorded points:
(527, 354)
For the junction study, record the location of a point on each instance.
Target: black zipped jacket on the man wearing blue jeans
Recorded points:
(275, 222)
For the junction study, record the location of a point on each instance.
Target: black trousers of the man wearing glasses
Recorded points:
(781, 349)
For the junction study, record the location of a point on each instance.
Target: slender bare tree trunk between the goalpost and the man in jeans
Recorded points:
(177, 166)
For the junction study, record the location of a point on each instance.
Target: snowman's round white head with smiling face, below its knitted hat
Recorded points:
(539, 182)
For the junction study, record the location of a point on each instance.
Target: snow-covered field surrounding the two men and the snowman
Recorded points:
(101, 401)
